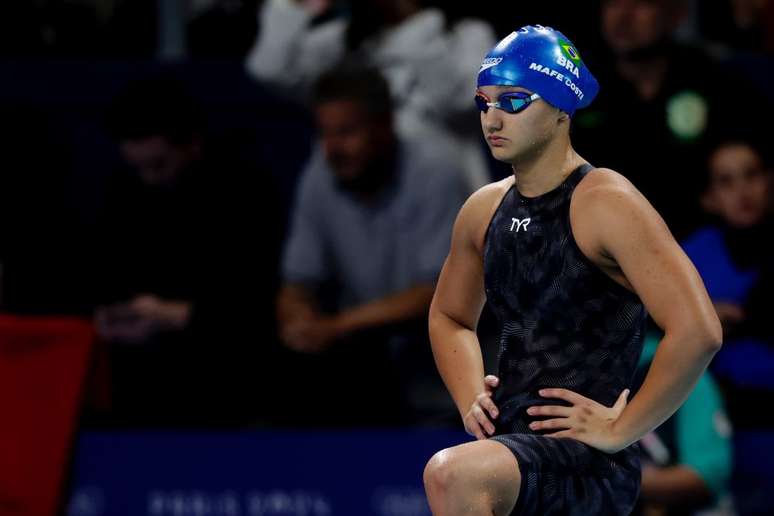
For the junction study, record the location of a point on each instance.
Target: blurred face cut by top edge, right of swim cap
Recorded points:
(631, 26)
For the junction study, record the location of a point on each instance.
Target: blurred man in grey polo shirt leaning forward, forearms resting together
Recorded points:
(370, 230)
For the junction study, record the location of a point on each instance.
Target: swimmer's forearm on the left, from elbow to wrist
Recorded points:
(458, 357)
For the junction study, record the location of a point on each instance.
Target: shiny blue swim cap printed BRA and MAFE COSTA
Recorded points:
(543, 61)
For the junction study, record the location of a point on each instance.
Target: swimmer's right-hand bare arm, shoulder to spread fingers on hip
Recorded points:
(620, 231)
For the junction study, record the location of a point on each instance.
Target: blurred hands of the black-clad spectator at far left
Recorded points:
(136, 321)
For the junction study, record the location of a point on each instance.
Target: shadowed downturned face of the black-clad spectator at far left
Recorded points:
(158, 161)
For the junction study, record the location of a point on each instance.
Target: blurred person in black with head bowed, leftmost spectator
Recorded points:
(187, 253)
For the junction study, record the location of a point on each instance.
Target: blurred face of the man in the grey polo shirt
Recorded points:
(352, 139)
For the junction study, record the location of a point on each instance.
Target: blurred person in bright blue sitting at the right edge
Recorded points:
(735, 261)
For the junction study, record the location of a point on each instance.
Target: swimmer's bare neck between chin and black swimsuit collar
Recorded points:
(546, 170)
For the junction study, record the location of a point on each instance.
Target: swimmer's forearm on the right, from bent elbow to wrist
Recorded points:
(679, 362)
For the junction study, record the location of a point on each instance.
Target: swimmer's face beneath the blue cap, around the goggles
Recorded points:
(513, 137)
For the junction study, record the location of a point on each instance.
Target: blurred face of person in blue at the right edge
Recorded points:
(739, 185)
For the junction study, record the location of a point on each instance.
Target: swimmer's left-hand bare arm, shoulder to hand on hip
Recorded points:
(454, 312)
